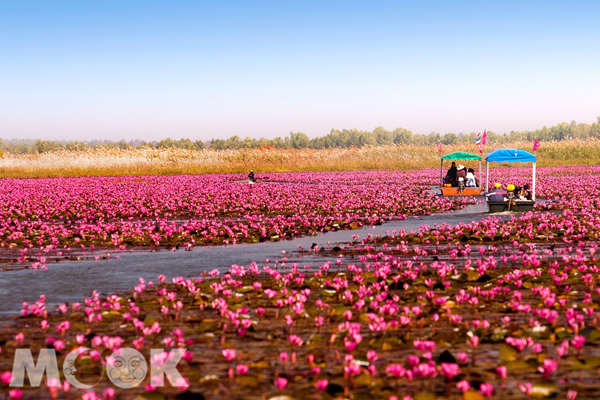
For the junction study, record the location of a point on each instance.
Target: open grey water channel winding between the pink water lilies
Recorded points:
(70, 281)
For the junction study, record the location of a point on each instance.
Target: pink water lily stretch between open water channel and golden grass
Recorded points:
(57, 215)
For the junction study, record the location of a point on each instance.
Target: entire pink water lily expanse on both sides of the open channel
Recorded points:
(499, 308)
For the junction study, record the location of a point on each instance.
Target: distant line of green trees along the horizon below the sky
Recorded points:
(336, 138)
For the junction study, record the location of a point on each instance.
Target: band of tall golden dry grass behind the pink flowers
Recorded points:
(179, 161)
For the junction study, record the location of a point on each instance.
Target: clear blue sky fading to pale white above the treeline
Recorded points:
(115, 69)
